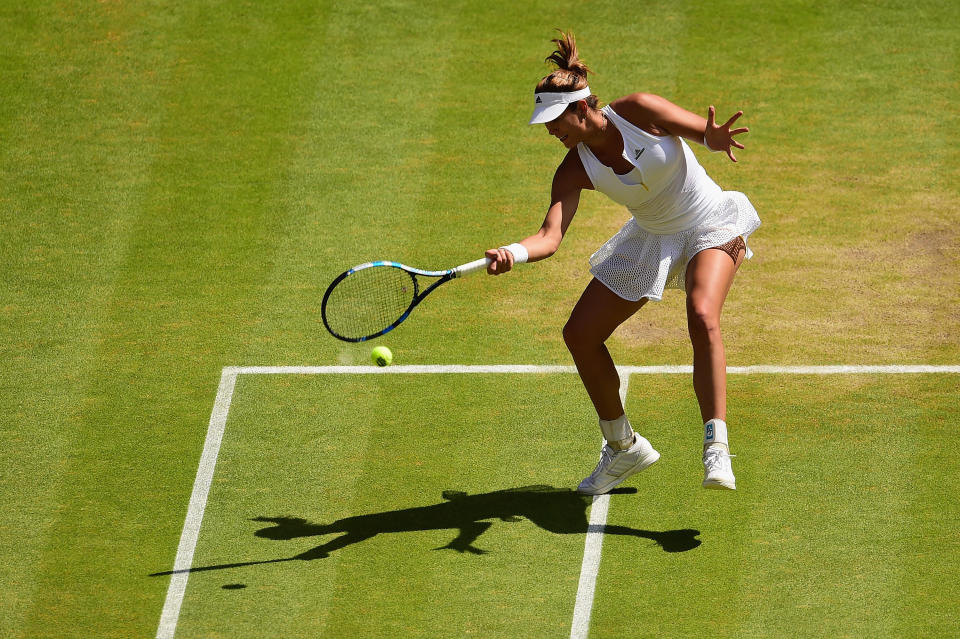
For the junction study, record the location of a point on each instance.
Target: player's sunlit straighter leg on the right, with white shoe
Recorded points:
(709, 277)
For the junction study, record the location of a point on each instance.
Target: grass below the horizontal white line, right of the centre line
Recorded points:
(833, 529)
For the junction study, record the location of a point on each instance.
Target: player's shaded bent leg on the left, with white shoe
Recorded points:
(597, 314)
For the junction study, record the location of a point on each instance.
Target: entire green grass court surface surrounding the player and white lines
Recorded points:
(178, 183)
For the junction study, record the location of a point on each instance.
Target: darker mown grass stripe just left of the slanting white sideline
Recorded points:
(219, 134)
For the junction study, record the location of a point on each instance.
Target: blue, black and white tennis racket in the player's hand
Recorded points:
(374, 298)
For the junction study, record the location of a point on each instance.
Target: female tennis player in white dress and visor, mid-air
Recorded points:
(685, 233)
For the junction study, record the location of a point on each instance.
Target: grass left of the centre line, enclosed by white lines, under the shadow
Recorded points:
(330, 448)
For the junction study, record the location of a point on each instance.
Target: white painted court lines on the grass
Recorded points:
(228, 378)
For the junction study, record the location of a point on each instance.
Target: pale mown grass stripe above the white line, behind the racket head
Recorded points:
(359, 175)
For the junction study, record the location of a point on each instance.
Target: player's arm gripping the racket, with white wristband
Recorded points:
(569, 179)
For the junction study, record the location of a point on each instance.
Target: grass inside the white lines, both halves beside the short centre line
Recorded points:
(832, 520)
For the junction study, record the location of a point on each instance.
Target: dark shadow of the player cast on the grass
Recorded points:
(557, 510)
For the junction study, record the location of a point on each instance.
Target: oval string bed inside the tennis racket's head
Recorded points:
(369, 301)
